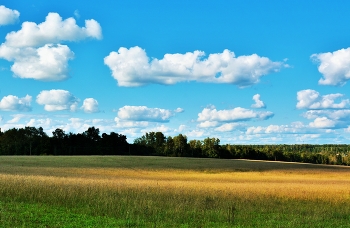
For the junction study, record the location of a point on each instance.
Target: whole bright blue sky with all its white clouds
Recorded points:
(246, 72)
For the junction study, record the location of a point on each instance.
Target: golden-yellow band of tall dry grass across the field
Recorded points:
(301, 184)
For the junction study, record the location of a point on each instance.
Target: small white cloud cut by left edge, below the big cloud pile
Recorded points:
(13, 103)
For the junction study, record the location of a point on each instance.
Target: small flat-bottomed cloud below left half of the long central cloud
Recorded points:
(143, 113)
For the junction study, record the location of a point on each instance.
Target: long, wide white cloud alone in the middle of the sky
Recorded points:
(132, 67)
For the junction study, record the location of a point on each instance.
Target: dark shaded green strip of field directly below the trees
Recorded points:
(155, 162)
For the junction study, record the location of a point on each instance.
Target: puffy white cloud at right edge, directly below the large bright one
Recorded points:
(311, 99)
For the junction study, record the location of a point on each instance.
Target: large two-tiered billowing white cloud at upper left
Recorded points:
(36, 50)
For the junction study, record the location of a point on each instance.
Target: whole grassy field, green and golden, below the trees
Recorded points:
(126, 191)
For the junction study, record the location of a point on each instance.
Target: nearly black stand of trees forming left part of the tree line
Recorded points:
(34, 141)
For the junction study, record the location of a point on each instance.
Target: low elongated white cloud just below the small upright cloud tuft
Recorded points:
(232, 115)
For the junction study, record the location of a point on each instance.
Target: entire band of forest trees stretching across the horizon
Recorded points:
(34, 141)
